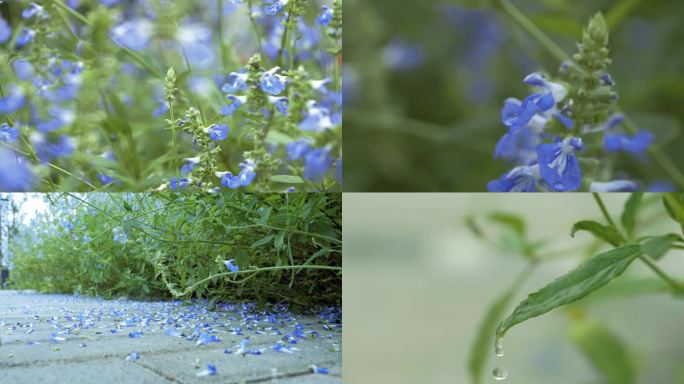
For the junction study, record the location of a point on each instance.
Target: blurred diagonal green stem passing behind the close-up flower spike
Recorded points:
(663, 162)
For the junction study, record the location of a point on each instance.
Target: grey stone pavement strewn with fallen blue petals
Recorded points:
(74, 339)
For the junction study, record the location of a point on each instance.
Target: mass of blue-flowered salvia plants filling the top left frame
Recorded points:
(181, 95)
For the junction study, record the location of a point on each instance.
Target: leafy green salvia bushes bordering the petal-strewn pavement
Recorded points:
(263, 248)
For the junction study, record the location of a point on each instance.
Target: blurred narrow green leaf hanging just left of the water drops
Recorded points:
(485, 332)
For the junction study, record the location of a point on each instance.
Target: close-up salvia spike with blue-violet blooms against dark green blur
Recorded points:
(565, 135)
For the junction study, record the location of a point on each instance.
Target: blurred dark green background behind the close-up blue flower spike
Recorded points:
(425, 81)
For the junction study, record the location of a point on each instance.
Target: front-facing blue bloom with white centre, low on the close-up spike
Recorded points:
(558, 164)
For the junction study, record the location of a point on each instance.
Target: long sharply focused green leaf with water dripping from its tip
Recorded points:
(576, 284)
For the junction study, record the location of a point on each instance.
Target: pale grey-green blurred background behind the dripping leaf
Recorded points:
(417, 284)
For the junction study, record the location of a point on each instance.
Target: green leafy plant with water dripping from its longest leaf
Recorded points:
(617, 246)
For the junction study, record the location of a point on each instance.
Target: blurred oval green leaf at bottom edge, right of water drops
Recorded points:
(605, 351)
